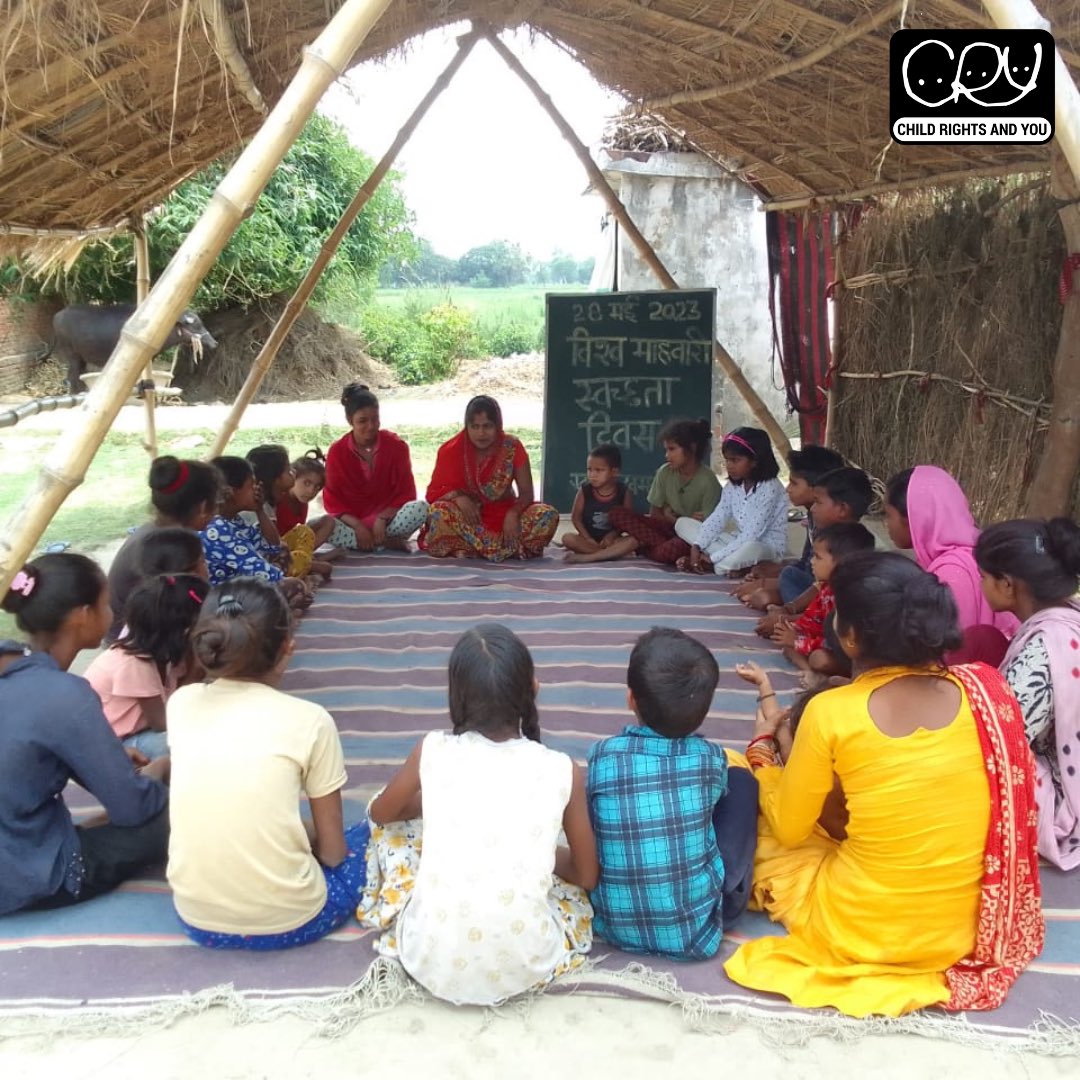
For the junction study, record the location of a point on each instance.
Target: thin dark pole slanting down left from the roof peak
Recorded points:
(300, 299)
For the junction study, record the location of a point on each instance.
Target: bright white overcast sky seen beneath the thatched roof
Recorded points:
(487, 164)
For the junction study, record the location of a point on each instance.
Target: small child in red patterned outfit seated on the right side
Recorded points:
(805, 639)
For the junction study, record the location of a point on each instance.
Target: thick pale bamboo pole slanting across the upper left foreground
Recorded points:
(65, 467)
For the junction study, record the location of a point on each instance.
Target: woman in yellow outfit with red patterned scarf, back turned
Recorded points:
(930, 894)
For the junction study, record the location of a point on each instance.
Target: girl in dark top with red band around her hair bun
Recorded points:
(184, 495)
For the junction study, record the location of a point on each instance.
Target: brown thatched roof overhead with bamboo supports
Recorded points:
(107, 105)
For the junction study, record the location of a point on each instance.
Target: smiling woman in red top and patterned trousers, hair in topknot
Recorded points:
(370, 487)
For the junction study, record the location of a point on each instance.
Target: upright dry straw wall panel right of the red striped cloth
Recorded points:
(950, 322)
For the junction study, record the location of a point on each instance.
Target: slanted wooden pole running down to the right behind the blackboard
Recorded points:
(722, 357)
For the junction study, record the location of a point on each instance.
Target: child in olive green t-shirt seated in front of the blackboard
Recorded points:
(684, 487)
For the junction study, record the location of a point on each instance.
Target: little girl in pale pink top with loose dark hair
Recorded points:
(136, 678)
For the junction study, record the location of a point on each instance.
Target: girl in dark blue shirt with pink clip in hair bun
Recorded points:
(55, 732)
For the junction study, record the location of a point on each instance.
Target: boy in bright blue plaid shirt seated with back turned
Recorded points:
(676, 829)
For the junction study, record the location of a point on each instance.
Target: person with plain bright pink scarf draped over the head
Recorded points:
(926, 509)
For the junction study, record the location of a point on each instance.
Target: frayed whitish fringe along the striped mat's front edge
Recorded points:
(386, 985)
